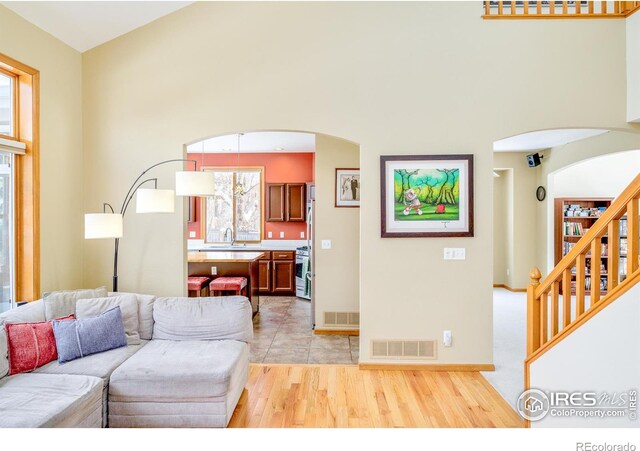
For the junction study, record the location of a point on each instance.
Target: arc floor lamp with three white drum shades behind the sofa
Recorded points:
(148, 200)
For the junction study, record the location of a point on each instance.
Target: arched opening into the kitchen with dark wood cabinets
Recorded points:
(279, 195)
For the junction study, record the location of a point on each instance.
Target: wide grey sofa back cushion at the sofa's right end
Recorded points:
(220, 318)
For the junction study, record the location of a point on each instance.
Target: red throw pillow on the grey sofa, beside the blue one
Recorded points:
(31, 345)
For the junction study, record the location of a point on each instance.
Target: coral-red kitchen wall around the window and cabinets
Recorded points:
(278, 168)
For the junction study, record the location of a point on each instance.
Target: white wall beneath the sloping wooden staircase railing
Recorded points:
(601, 356)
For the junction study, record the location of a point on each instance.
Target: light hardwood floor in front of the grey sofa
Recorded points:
(345, 396)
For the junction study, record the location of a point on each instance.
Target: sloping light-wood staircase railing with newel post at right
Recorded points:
(549, 321)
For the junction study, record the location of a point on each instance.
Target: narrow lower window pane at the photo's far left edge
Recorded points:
(6, 231)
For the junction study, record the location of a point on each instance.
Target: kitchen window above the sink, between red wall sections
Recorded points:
(234, 213)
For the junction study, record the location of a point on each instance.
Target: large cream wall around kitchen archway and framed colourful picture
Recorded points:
(395, 77)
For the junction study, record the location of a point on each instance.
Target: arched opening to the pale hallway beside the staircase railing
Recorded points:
(575, 163)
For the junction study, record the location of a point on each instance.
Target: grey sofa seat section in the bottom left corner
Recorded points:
(45, 400)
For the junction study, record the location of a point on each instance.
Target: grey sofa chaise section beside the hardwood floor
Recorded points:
(179, 384)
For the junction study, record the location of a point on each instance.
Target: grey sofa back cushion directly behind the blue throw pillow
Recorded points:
(87, 308)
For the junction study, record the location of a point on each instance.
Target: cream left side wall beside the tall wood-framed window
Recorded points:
(61, 171)
